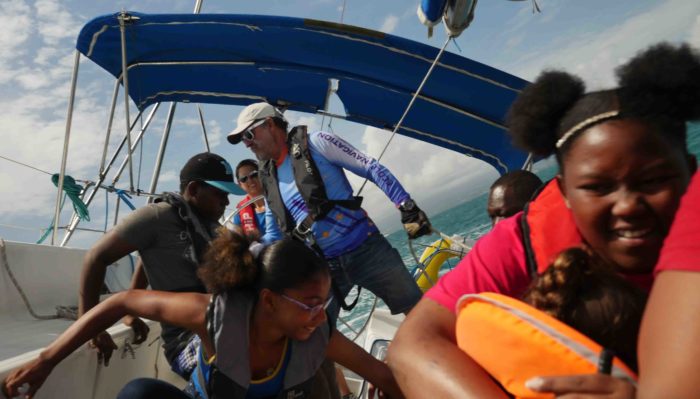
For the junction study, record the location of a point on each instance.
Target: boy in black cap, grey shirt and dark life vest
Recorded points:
(170, 235)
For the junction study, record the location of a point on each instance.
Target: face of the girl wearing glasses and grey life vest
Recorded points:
(299, 323)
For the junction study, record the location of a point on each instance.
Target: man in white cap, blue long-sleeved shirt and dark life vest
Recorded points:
(309, 198)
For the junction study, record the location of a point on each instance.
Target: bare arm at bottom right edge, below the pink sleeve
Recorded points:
(669, 354)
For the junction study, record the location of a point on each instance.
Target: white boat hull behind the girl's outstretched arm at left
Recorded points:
(49, 277)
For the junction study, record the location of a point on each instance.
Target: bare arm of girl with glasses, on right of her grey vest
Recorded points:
(346, 353)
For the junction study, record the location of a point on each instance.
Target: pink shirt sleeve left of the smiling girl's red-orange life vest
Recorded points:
(495, 264)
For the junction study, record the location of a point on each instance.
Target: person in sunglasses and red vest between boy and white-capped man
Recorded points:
(251, 218)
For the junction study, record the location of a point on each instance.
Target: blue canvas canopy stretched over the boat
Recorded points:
(289, 62)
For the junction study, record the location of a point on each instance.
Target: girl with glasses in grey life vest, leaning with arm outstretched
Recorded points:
(263, 328)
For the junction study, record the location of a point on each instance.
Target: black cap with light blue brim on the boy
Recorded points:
(211, 169)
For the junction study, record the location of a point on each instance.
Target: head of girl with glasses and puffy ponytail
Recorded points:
(292, 282)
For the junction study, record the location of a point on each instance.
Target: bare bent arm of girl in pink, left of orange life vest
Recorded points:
(428, 364)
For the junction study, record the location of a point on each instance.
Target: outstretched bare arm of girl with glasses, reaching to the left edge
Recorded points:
(186, 310)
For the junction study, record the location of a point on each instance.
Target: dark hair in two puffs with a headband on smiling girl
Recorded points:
(660, 87)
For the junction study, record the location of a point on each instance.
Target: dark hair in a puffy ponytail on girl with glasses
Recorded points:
(229, 263)
